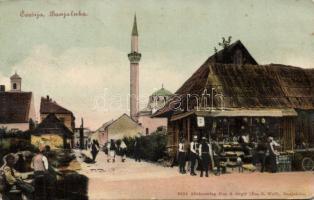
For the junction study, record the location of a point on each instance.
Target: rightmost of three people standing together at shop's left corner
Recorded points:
(205, 151)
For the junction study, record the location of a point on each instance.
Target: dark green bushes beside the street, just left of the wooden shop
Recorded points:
(152, 147)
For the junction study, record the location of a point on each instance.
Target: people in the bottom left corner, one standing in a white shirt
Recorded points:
(43, 175)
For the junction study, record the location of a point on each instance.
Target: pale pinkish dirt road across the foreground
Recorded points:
(131, 180)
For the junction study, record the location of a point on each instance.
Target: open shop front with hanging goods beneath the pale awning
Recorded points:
(227, 126)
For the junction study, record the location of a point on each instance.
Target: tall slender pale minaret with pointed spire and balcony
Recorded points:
(134, 58)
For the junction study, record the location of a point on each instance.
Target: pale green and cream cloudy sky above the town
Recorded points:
(81, 62)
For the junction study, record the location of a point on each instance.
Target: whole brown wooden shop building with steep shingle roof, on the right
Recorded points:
(233, 95)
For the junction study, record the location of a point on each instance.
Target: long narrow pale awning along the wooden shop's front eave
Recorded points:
(249, 113)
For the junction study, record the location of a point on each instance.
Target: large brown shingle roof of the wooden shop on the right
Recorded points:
(248, 85)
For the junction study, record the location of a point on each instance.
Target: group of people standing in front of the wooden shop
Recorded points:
(207, 154)
